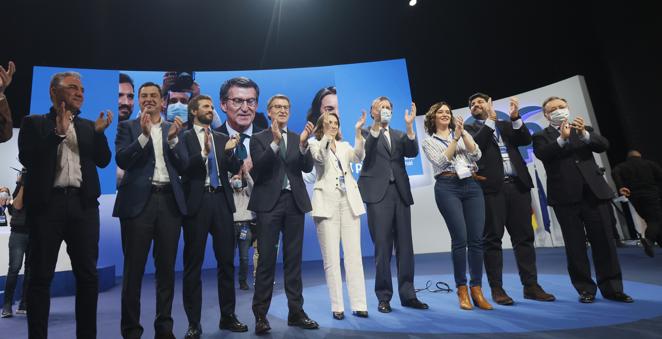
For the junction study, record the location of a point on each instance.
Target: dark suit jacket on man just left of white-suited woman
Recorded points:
(269, 168)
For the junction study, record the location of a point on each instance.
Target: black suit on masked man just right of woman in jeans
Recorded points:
(507, 200)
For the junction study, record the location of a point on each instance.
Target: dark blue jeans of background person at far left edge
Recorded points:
(18, 249)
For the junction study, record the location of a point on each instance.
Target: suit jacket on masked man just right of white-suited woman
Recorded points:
(380, 161)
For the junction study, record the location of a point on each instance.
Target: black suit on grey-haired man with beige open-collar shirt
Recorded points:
(62, 214)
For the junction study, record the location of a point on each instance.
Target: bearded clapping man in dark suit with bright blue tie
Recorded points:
(210, 204)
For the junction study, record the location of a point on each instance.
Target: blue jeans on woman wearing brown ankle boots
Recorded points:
(462, 205)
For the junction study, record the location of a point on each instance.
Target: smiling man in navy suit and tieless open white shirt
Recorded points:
(150, 204)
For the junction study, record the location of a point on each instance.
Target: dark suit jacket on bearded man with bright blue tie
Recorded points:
(195, 174)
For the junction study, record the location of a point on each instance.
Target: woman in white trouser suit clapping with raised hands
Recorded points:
(337, 206)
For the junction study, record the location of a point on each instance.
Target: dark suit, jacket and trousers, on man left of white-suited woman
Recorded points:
(279, 210)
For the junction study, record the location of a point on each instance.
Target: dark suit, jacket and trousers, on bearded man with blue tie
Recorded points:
(209, 211)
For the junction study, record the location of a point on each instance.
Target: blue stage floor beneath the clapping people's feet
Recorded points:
(565, 317)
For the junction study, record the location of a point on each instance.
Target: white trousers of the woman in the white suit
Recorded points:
(342, 226)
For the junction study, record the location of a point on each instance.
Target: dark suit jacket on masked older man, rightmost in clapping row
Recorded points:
(571, 167)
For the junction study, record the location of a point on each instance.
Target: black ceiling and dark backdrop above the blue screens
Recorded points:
(453, 48)
